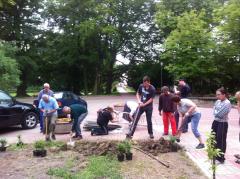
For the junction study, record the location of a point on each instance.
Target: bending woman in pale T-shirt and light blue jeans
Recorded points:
(188, 112)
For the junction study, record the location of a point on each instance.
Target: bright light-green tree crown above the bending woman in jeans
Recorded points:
(189, 49)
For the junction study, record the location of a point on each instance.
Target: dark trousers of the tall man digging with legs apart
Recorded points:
(148, 110)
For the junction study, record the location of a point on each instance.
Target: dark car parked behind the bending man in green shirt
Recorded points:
(67, 98)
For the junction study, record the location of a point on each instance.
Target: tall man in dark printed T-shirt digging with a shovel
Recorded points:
(145, 95)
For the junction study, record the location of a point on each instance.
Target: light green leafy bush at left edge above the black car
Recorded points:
(9, 69)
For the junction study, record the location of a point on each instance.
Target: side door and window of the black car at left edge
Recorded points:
(9, 113)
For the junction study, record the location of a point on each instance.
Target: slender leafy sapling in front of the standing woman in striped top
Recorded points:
(212, 152)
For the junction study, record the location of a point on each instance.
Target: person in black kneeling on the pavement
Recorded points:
(103, 117)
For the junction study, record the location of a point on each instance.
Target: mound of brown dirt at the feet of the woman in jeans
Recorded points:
(159, 146)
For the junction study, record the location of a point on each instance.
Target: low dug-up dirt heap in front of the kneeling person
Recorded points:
(96, 147)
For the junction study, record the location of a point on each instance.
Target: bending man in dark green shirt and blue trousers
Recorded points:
(78, 114)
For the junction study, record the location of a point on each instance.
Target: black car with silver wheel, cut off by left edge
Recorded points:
(13, 112)
